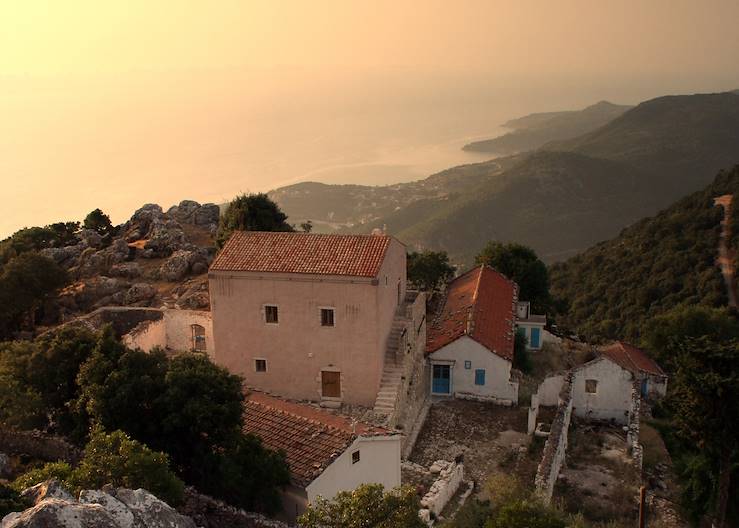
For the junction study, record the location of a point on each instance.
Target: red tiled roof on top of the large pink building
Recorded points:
(277, 252)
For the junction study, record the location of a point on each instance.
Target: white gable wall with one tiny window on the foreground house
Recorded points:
(379, 463)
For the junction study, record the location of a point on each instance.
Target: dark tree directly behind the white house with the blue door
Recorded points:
(520, 264)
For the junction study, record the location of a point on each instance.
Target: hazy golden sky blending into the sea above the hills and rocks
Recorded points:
(119, 103)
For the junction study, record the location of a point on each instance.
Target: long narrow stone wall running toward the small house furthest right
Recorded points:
(556, 447)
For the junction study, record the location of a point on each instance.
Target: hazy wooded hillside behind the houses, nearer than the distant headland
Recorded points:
(559, 200)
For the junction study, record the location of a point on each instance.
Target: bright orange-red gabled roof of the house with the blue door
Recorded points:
(480, 304)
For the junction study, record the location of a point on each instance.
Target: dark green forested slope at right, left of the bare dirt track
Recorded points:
(659, 263)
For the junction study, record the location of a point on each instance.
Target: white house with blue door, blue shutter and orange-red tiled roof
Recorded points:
(470, 342)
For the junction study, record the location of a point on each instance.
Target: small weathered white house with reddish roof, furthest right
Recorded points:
(602, 388)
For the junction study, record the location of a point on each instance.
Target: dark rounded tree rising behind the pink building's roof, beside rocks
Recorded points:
(251, 212)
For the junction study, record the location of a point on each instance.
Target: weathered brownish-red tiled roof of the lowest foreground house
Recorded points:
(311, 438)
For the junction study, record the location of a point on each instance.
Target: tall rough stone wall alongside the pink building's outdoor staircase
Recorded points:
(415, 386)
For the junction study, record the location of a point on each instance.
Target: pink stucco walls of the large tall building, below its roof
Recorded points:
(298, 348)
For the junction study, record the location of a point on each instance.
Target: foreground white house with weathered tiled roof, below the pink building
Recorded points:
(327, 453)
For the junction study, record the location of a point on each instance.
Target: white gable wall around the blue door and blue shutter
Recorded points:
(498, 384)
